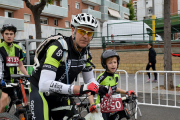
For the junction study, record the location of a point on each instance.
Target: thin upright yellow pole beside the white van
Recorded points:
(153, 20)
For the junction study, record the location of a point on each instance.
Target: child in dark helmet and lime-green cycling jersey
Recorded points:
(110, 61)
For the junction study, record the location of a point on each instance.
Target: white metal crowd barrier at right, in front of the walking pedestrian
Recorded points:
(156, 93)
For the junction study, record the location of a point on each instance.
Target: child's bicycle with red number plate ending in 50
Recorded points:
(127, 109)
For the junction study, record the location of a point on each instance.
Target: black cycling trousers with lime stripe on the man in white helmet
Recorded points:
(41, 105)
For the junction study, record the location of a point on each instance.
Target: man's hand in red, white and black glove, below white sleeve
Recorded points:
(90, 87)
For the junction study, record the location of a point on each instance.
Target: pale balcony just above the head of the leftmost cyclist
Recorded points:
(19, 23)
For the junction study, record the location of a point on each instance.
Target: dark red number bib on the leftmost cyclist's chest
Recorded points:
(12, 61)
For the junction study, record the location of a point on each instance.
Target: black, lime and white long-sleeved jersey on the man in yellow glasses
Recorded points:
(51, 75)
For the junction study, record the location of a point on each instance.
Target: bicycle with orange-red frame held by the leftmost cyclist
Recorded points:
(15, 90)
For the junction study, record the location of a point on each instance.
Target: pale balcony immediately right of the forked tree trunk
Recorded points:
(55, 11)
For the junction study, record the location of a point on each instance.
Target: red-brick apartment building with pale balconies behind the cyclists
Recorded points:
(59, 14)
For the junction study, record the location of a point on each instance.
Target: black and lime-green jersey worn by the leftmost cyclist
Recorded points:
(13, 51)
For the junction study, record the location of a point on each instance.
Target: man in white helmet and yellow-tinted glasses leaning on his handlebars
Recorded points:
(51, 75)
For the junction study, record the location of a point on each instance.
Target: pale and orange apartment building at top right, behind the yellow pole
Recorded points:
(144, 8)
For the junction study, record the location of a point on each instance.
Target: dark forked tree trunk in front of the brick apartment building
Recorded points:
(36, 11)
